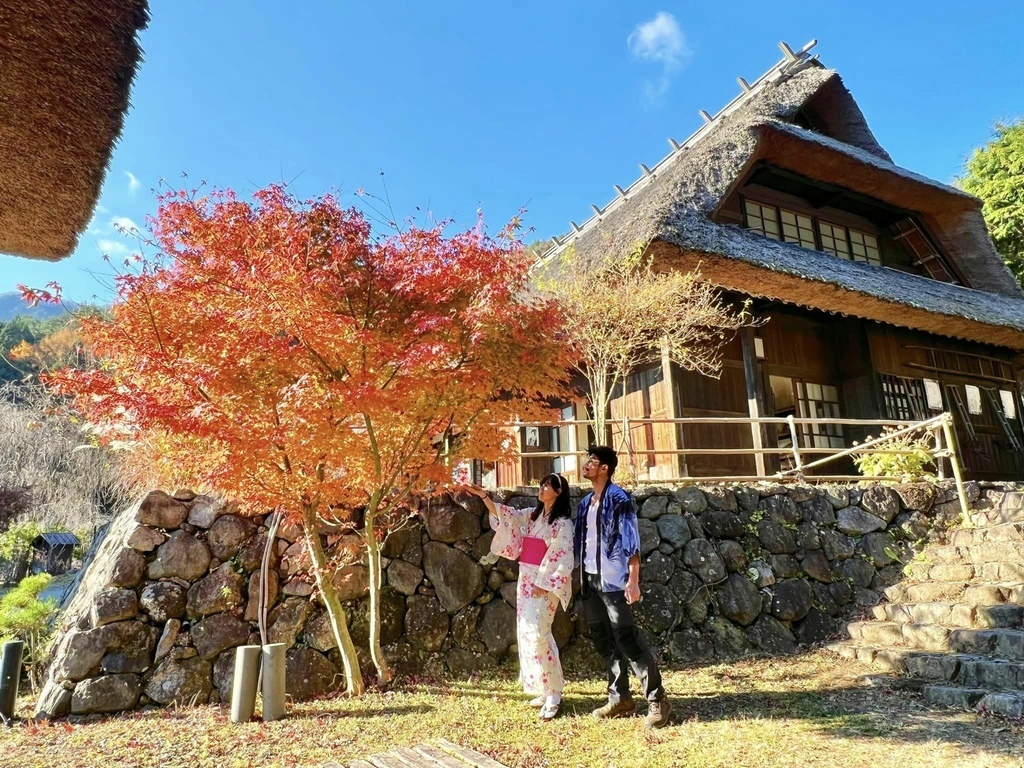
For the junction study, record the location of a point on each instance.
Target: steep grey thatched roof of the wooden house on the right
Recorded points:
(672, 208)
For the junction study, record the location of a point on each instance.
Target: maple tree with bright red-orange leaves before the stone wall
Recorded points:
(278, 352)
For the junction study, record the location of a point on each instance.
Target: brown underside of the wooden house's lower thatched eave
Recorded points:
(760, 281)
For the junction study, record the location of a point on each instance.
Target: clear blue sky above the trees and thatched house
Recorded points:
(496, 107)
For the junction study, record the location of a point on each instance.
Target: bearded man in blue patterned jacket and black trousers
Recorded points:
(607, 545)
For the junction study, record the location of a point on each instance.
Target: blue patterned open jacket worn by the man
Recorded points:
(618, 533)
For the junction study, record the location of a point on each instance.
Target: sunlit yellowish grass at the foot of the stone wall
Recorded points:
(807, 711)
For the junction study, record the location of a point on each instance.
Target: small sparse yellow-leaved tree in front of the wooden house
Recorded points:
(623, 316)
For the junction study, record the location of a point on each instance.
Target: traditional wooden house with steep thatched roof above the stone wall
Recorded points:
(881, 292)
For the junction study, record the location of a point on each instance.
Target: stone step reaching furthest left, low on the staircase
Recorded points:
(968, 670)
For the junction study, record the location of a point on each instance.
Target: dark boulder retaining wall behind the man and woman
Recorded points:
(727, 572)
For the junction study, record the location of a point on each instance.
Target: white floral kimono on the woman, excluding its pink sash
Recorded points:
(540, 590)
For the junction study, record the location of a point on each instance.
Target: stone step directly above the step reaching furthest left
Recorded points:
(1004, 644)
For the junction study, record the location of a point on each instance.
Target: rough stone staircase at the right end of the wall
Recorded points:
(955, 626)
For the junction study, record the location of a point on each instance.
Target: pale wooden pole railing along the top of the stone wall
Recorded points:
(940, 430)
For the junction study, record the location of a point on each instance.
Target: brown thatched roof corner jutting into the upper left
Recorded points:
(66, 71)
